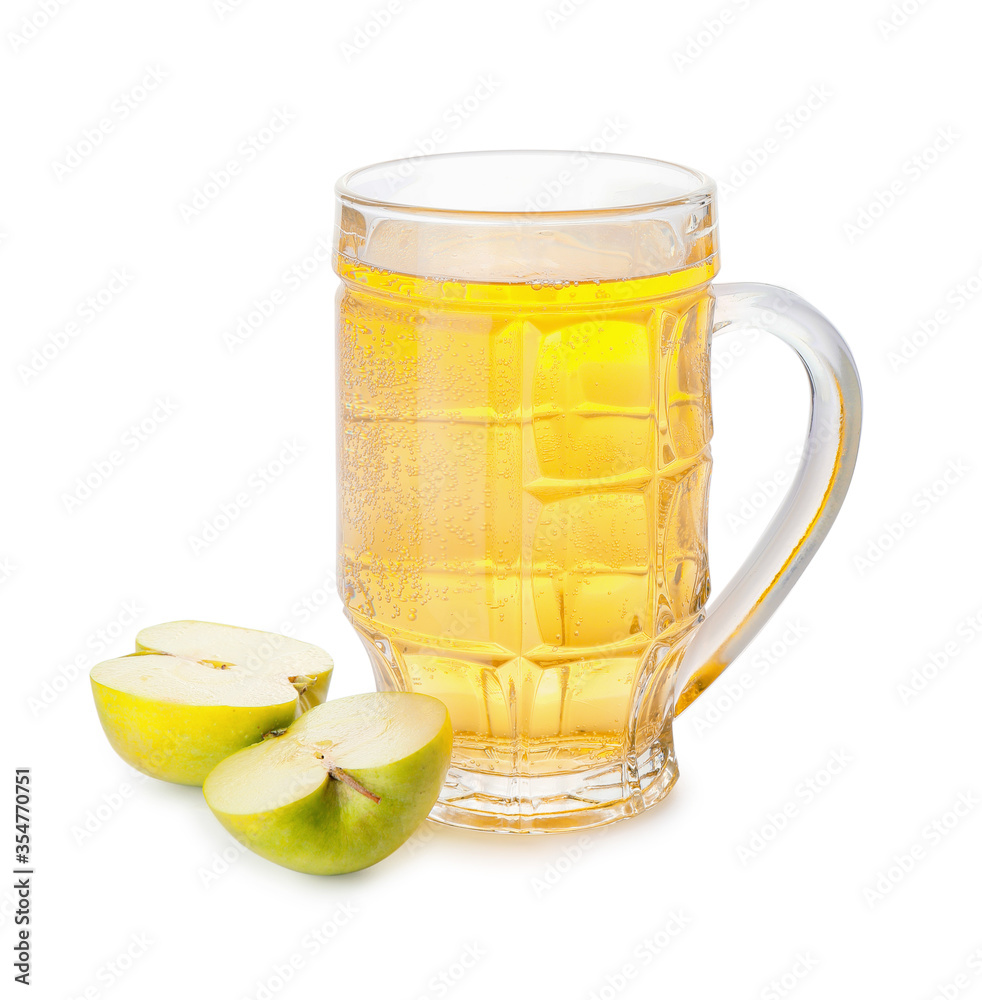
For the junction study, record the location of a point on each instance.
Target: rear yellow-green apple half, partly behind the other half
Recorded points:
(195, 692)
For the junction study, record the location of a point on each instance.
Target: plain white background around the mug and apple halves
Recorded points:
(132, 897)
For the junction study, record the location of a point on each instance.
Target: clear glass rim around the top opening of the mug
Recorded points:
(702, 188)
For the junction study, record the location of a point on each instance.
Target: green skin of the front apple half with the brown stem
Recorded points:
(336, 829)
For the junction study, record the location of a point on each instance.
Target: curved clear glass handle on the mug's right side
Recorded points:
(815, 494)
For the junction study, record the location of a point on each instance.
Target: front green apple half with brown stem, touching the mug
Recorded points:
(340, 789)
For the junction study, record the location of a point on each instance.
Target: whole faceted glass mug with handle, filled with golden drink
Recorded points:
(523, 356)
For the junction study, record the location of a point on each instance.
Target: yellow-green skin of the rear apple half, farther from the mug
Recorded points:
(182, 743)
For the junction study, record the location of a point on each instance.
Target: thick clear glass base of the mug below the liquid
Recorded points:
(556, 803)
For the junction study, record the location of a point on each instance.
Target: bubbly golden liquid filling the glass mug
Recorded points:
(522, 515)
